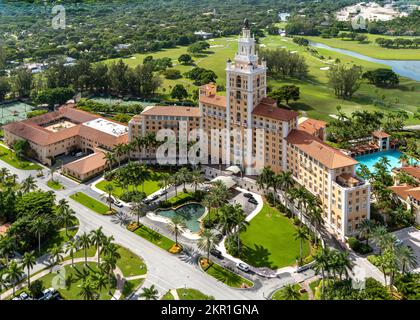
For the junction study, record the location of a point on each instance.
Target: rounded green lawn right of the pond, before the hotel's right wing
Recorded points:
(269, 240)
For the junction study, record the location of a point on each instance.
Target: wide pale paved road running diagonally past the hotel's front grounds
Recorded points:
(165, 270)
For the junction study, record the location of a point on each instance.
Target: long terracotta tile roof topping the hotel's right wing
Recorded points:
(330, 157)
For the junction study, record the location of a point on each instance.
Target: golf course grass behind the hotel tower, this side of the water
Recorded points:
(317, 98)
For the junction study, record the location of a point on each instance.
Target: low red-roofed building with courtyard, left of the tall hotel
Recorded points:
(59, 133)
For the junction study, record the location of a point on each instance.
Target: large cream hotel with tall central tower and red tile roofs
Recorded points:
(246, 114)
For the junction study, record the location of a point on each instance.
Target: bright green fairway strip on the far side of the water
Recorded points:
(371, 49)
